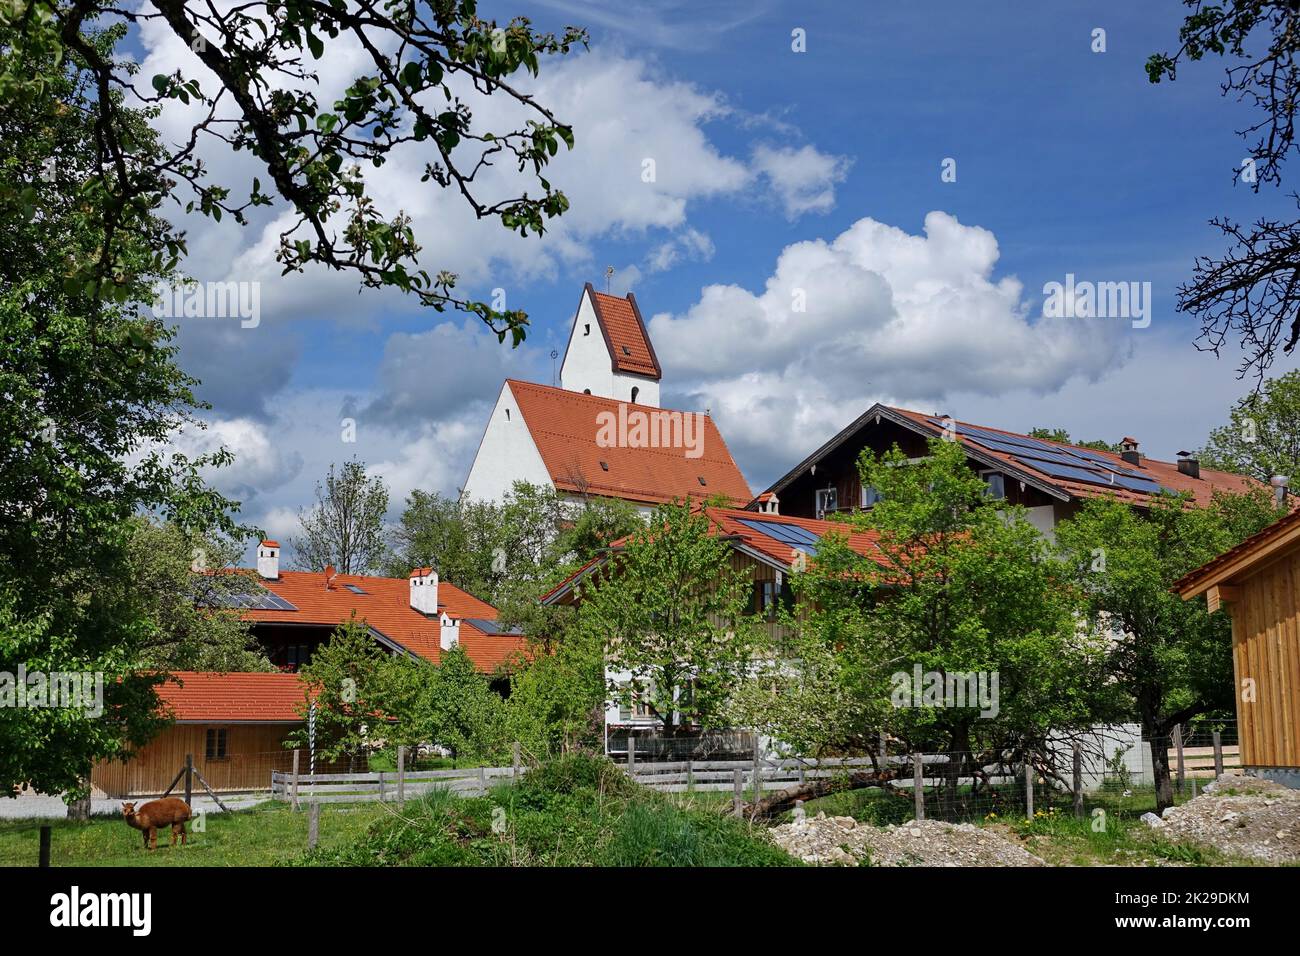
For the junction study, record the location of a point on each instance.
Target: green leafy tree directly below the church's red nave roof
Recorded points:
(671, 613)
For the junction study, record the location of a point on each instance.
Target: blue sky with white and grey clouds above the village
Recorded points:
(817, 168)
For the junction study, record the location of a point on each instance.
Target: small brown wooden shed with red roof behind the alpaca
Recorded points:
(233, 725)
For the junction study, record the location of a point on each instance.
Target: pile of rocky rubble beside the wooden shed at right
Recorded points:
(1238, 816)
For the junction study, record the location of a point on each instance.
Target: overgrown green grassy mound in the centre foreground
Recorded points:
(573, 812)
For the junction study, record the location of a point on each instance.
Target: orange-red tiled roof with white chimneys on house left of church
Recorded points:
(387, 608)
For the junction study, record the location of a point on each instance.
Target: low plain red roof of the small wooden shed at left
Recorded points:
(227, 698)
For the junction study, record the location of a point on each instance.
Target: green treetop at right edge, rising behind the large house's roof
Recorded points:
(1263, 435)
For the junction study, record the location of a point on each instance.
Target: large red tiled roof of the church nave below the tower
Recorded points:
(565, 427)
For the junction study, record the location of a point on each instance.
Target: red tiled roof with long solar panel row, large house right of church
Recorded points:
(1165, 474)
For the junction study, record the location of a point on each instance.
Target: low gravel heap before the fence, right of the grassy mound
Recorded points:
(844, 842)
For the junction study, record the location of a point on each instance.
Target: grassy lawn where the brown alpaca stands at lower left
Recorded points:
(266, 836)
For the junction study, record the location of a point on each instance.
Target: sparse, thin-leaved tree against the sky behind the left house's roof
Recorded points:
(345, 527)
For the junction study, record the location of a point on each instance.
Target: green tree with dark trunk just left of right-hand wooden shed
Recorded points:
(1169, 659)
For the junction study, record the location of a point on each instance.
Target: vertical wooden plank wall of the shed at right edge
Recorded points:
(1267, 648)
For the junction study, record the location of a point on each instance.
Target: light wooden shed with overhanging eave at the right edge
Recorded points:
(1258, 583)
